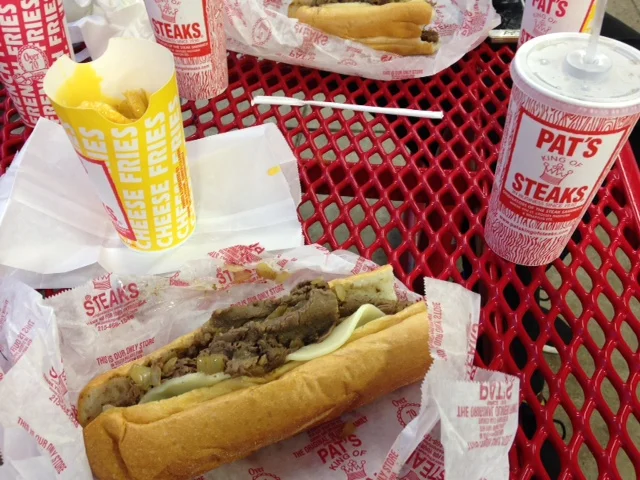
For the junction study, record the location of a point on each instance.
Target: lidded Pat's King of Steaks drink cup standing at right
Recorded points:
(566, 124)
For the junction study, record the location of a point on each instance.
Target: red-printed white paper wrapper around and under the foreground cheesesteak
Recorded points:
(459, 423)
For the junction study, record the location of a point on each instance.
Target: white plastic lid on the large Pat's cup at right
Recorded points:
(554, 65)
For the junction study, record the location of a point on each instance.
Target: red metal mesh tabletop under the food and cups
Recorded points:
(414, 193)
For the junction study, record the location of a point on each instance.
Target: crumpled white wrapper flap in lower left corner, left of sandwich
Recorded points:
(34, 398)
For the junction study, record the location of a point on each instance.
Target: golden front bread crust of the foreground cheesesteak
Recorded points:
(180, 438)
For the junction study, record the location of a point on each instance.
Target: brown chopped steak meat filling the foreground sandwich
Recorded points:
(253, 340)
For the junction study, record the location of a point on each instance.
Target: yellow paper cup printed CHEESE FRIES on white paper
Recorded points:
(122, 114)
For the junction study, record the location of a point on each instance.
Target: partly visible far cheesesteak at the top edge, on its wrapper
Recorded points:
(396, 26)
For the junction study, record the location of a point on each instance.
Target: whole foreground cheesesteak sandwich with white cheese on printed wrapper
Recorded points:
(252, 376)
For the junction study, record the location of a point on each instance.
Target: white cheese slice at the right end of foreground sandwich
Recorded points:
(339, 336)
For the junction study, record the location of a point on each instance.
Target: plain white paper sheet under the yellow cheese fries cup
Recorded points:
(55, 233)
